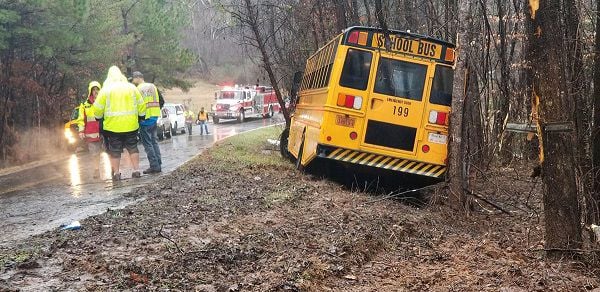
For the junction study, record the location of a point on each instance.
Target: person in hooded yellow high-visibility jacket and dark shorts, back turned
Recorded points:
(121, 106)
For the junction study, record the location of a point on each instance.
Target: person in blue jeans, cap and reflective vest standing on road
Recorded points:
(148, 128)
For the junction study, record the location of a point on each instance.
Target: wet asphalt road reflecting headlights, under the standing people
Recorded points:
(41, 198)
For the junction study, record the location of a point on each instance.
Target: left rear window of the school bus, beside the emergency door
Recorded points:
(357, 67)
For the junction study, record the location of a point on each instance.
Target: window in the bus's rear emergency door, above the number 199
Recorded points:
(400, 79)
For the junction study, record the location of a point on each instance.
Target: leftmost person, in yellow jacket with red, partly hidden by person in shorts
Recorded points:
(89, 127)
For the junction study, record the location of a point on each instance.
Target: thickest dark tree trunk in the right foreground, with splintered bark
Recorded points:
(561, 206)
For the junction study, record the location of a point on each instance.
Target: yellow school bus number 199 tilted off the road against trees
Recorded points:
(375, 98)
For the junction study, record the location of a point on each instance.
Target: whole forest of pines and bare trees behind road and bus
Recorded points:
(520, 61)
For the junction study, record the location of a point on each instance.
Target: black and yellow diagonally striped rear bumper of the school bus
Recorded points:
(386, 162)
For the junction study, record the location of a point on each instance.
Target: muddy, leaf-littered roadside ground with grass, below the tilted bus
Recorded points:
(240, 218)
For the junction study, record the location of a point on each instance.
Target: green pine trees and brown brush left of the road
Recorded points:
(51, 49)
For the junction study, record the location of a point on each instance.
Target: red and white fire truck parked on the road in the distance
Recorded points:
(241, 102)
